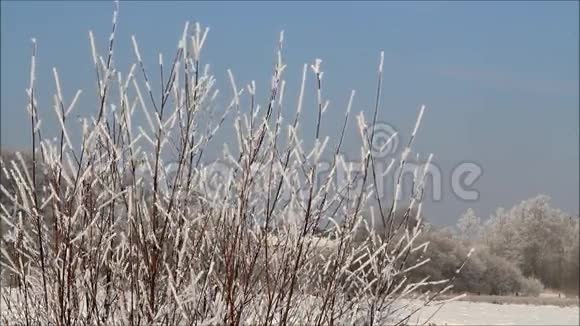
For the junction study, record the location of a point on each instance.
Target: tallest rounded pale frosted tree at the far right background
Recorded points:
(539, 238)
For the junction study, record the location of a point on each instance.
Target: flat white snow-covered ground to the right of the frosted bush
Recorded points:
(479, 313)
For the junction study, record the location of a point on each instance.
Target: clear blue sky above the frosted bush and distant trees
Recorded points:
(500, 79)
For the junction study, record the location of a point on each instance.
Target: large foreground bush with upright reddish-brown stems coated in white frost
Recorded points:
(96, 231)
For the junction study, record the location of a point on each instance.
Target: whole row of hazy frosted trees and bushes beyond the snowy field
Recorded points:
(518, 252)
